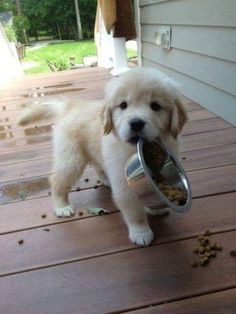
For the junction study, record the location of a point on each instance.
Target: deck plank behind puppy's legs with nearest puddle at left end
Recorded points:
(221, 179)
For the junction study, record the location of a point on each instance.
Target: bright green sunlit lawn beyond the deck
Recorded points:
(60, 52)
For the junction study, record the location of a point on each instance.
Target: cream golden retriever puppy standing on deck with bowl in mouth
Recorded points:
(142, 103)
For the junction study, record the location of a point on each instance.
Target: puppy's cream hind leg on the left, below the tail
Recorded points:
(68, 167)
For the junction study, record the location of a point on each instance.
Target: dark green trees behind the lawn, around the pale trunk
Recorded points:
(58, 18)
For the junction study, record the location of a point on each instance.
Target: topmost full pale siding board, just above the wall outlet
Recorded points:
(191, 12)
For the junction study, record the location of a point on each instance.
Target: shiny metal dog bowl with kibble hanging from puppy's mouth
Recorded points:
(149, 187)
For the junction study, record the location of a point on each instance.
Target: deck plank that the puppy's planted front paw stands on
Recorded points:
(100, 235)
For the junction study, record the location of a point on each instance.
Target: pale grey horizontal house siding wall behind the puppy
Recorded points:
(203, 54)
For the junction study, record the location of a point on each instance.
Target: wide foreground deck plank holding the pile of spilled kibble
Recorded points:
(119, 282)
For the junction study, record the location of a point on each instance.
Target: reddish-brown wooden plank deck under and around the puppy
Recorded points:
(86, 264)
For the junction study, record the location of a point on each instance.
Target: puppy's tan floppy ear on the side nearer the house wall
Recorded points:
(178, 118)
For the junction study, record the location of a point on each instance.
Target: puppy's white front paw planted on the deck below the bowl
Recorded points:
(141, 236)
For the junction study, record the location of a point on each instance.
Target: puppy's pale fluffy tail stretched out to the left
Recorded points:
(40, 111)
